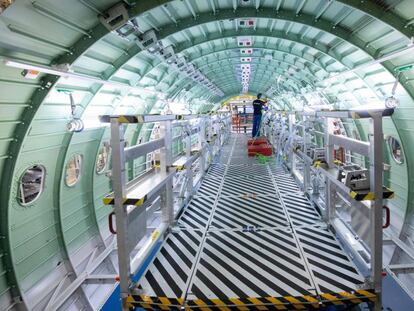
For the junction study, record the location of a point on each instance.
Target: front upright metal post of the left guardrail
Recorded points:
(118, 184)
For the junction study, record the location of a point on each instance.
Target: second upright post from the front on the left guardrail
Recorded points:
(167, 200)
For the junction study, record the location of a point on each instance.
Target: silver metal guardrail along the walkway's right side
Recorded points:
(368, 201)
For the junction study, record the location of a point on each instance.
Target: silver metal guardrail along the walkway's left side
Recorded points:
(127, 198)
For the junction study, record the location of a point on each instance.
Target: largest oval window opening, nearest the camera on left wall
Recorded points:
(31, 184)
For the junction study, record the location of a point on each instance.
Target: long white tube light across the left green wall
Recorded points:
(67, 74)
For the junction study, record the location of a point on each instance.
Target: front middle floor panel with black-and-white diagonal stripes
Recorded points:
(250, 264)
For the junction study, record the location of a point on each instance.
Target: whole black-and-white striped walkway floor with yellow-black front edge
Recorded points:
(249, 240)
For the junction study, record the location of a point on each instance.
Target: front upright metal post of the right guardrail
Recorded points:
(376, 181)
